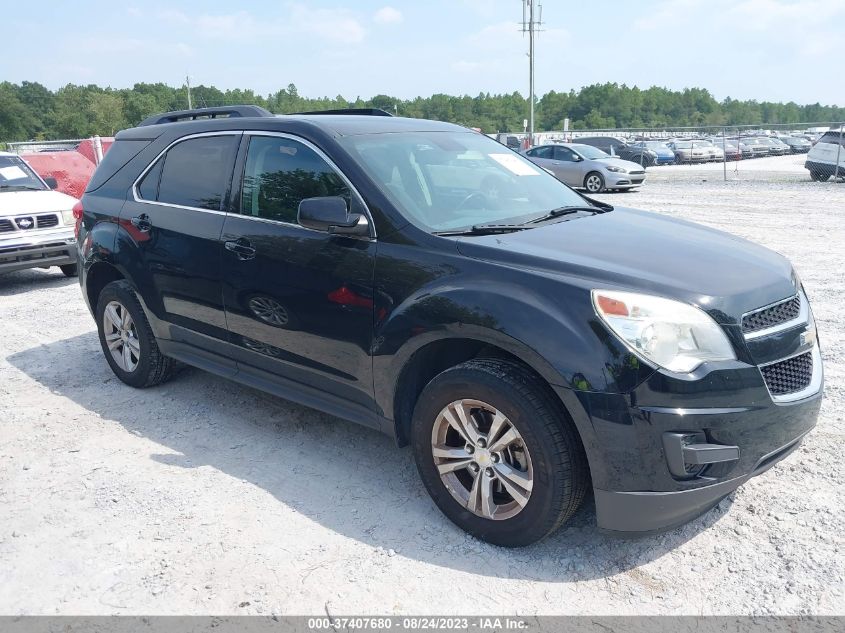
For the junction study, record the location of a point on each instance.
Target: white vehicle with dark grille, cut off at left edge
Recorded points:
(36, 223)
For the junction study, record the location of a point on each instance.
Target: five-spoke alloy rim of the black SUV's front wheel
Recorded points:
(482, 459)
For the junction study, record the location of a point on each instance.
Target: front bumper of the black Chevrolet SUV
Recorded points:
(729, 411)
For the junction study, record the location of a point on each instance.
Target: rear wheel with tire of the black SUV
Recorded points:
(146, 365)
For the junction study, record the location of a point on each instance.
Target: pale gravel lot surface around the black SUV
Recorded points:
(202, 496)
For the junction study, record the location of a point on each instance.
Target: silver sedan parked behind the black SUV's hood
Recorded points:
(586, 167)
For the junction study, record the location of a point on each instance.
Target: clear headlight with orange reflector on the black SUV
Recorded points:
(671, 334)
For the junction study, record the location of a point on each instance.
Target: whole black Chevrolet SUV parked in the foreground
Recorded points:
(418, 278)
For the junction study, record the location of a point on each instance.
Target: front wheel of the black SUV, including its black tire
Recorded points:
(547, 452)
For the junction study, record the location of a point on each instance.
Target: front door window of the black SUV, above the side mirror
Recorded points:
(280, 173)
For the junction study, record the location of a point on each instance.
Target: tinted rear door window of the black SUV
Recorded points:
(194, 173)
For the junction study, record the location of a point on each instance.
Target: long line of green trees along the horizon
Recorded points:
(30, 111)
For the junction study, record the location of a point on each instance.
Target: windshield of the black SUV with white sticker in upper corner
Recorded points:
(446, 181)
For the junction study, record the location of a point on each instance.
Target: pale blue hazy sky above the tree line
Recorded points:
(768, 50)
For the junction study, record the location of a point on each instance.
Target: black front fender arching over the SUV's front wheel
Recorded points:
(548, 325)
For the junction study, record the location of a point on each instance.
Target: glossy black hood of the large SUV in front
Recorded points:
(627, 249)
